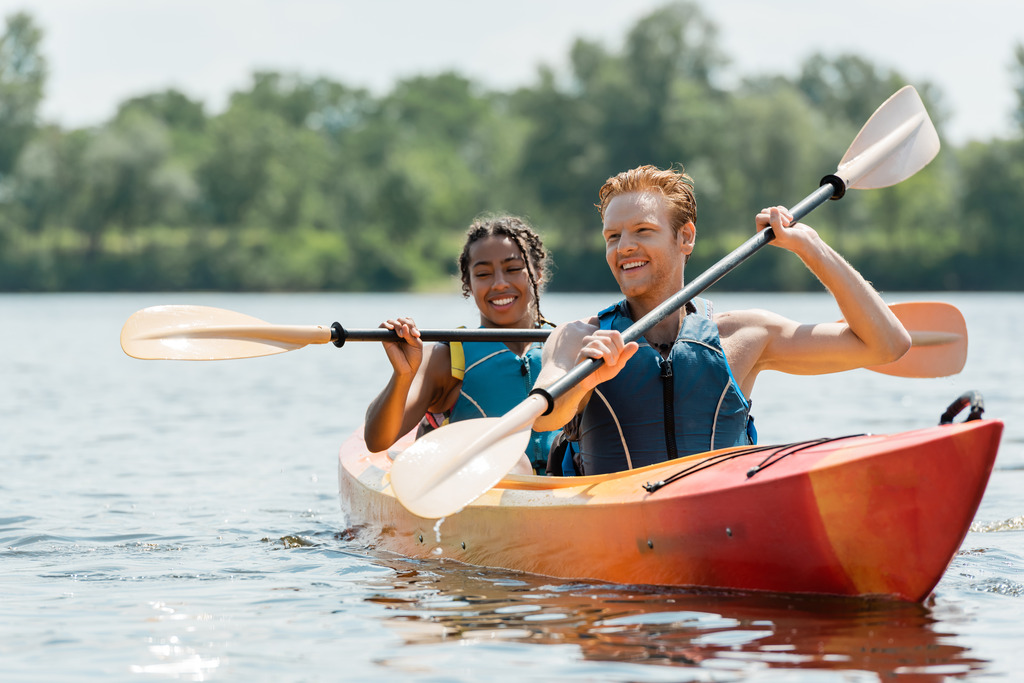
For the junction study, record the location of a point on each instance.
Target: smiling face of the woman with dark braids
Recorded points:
(500, 283)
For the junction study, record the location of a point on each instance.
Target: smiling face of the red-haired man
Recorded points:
(645, 253)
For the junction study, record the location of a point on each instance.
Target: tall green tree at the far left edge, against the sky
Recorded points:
(23, 75)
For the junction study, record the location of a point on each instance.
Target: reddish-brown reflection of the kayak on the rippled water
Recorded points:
(436, 602)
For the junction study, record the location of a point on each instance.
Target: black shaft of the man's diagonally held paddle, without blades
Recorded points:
(832, 188)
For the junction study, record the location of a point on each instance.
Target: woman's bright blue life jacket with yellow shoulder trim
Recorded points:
(494, 381)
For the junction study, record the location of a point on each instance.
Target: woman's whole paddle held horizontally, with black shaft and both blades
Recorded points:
(204, 333)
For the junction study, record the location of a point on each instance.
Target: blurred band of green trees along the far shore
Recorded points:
(305, 184)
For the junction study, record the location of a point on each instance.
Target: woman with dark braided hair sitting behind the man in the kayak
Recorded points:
(503, 267)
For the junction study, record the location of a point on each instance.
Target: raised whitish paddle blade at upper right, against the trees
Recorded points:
(901, 135)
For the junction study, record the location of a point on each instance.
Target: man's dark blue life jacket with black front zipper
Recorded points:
(624, 425)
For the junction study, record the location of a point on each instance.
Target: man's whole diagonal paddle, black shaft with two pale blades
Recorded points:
(452, 466)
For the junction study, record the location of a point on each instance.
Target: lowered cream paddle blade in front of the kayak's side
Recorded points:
(449, 468)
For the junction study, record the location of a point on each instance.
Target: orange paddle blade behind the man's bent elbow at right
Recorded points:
(940, 335)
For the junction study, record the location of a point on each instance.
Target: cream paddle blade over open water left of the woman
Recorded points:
(204, 333)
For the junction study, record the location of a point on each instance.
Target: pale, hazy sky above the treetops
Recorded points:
(102, 53)
